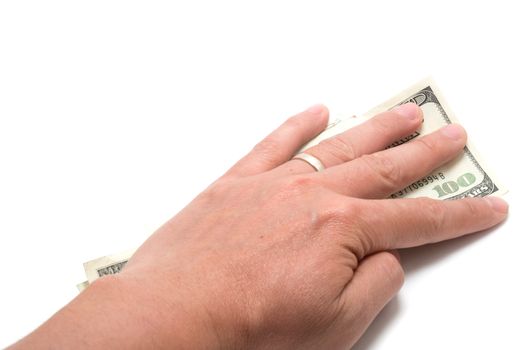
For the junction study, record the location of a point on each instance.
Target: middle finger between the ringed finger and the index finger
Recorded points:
(380, 174)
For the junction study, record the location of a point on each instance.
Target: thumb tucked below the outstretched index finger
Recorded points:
(375, 282)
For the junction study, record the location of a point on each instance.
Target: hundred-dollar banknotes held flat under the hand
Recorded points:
(465, 176)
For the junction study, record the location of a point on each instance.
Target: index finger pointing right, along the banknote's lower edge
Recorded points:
(401, 223)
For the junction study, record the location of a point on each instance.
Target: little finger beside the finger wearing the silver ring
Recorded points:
(281, 144)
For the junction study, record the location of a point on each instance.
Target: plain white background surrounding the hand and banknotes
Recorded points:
(114, 114)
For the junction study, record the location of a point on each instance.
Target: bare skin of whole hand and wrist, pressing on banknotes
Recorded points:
(274, 255)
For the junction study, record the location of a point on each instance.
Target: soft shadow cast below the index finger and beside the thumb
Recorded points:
(414, 259)
